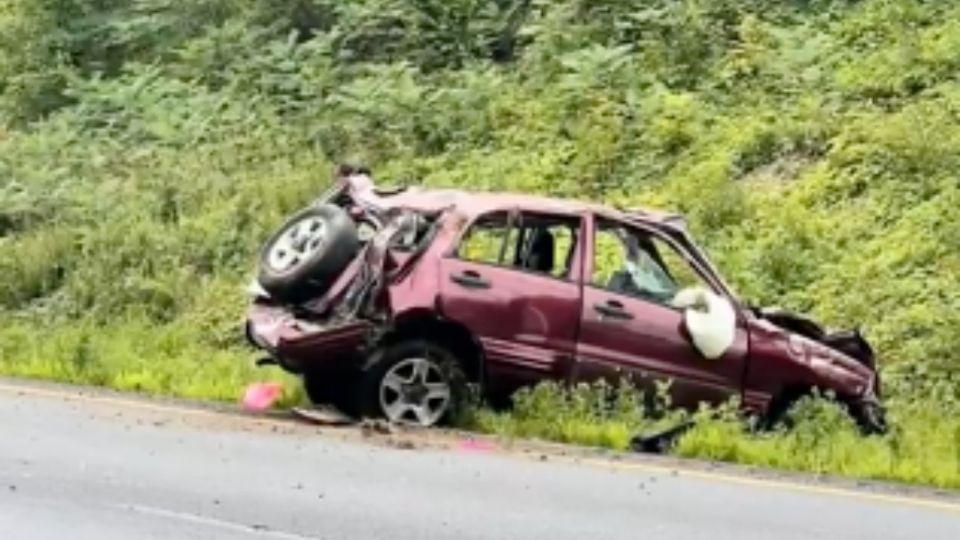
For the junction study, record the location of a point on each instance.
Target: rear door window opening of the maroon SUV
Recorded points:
(535, 243)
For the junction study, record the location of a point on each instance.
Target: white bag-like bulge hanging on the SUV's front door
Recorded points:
(710, 320)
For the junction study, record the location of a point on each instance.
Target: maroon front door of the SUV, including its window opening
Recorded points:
(628, 327)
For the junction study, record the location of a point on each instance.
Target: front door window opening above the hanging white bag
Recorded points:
(636, 263)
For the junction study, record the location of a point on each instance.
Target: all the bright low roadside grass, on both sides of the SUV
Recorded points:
(923, 446)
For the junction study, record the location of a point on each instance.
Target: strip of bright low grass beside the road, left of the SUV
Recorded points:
(138, 356)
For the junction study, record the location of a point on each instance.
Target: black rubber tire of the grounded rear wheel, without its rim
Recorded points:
(385, 360)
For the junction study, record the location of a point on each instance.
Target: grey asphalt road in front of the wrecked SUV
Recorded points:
(104, 469)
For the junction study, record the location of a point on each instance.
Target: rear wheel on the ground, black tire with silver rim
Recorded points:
(413, 382)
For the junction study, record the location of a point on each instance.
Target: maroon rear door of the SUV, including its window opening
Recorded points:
(519, 296)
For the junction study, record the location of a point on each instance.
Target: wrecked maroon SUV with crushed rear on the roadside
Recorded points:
(393, 303)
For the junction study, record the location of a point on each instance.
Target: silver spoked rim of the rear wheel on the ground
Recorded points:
(415, 391)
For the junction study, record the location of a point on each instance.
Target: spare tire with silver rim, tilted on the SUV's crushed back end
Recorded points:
(315, 258)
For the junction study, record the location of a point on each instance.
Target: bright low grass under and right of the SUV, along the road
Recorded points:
(922, 447)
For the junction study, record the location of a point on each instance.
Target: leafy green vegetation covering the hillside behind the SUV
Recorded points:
(148, 146)
